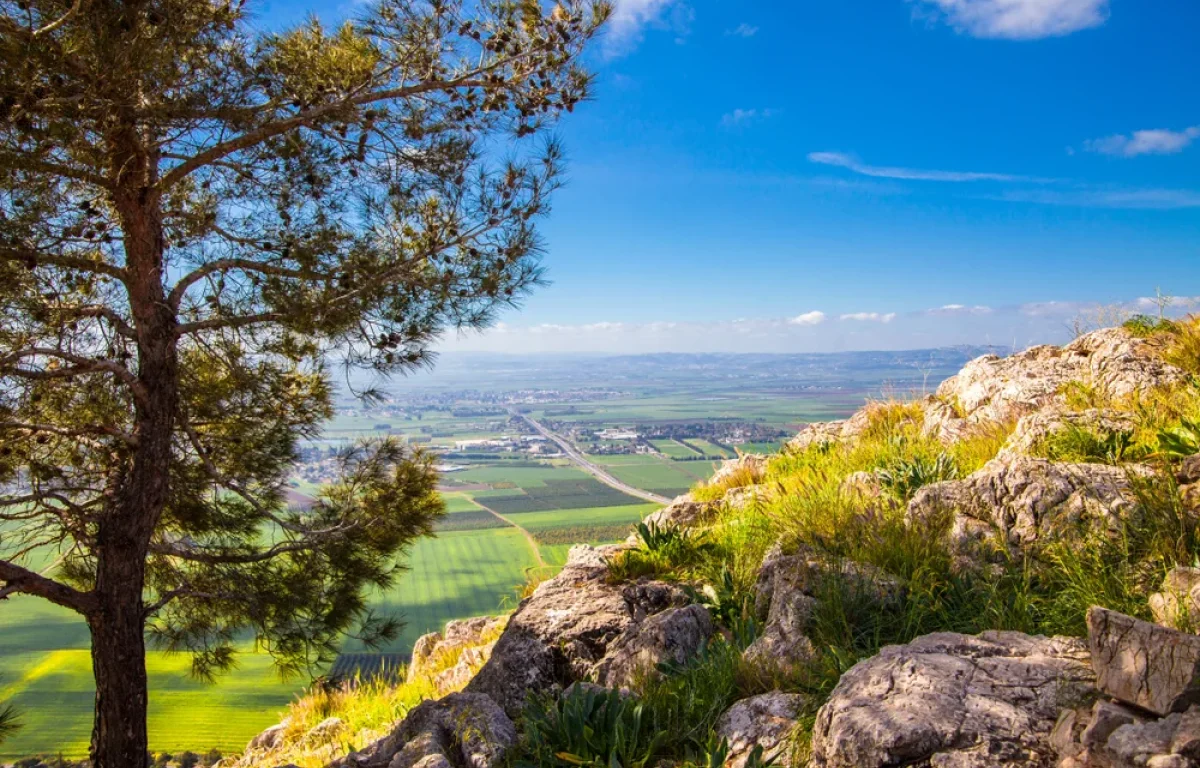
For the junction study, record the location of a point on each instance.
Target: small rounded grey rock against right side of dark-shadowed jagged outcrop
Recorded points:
(671, 637)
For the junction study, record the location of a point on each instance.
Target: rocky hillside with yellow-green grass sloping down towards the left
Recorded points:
(995, 575)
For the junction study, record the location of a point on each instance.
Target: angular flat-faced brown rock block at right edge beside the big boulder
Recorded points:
(1151, 667)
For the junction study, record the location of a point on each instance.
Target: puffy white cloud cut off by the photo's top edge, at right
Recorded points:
(1019, 20)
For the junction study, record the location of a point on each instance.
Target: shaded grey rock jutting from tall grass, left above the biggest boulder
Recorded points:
(787, 596)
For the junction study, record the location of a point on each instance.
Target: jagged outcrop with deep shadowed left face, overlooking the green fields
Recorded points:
(561, 633)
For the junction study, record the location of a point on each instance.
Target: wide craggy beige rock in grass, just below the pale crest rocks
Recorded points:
(1019, 502)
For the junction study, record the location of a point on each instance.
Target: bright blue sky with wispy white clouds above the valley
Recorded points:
(865, 175)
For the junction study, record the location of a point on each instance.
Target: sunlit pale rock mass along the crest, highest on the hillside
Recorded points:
(998, 391)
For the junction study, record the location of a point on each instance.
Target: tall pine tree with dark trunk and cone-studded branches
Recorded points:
(201, 225)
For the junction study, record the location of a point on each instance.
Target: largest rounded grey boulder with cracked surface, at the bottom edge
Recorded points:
(952, 700)
